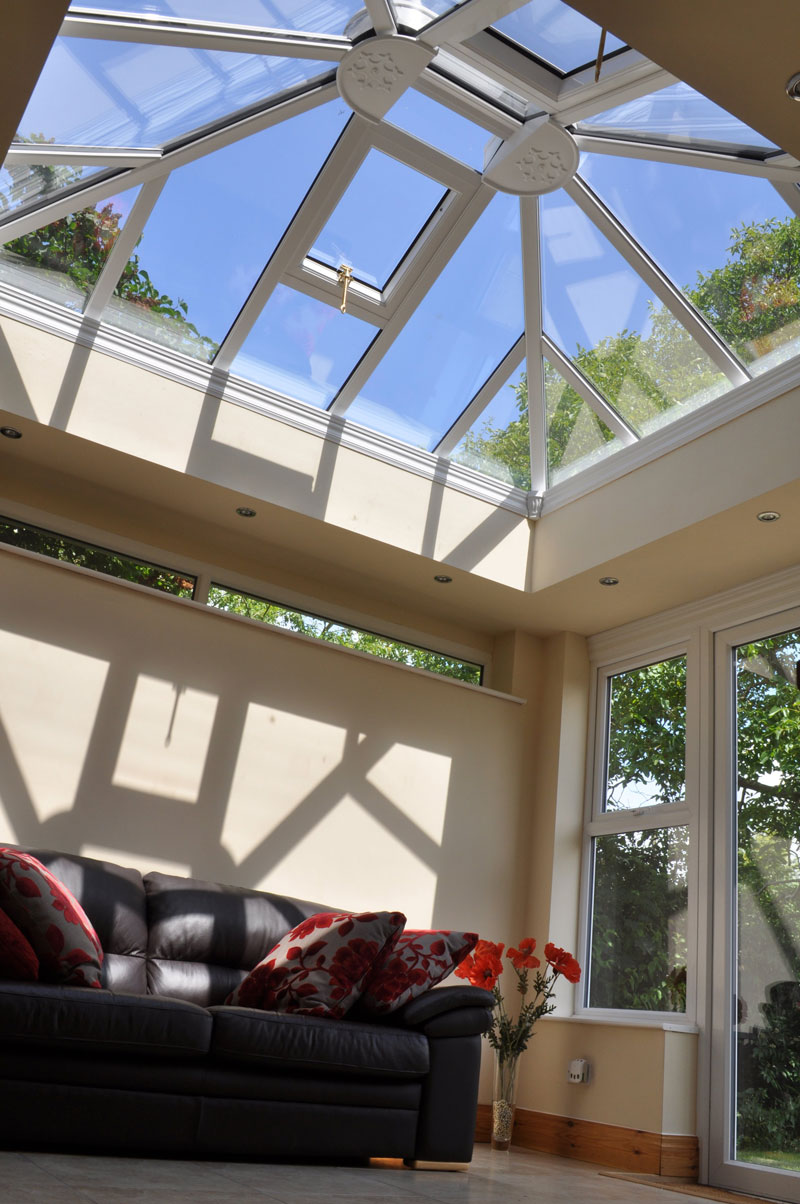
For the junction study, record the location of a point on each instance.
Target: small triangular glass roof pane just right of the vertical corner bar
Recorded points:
(577, 438)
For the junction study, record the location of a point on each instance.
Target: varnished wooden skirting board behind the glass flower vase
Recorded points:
(609, 1146)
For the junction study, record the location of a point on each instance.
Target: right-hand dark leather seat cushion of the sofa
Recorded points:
(311, 1043)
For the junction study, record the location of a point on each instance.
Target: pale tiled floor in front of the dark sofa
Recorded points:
(515, 1178)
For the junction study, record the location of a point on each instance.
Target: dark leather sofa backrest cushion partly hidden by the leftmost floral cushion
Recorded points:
(114, 900)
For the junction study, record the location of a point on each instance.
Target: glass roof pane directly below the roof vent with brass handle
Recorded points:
(303, 349)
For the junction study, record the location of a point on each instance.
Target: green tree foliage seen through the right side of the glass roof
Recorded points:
(754, 302)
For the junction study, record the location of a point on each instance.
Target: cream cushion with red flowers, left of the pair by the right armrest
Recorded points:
(317, 970)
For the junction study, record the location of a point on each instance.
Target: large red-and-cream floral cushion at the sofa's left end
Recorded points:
(52, 920)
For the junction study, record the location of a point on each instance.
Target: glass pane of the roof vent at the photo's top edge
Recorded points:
(556, 33)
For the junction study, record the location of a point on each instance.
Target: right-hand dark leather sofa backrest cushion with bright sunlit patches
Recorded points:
(207, 937)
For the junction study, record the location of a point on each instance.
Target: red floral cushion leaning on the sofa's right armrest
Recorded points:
(417, 963)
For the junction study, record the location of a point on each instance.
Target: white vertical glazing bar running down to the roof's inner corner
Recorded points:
(532, 275)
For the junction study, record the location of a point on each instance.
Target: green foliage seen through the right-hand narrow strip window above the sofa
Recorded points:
(339, 634)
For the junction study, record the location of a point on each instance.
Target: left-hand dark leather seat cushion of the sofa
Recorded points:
(72, 1018)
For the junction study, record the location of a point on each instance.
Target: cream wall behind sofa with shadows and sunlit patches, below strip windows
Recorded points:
(146, 731)
